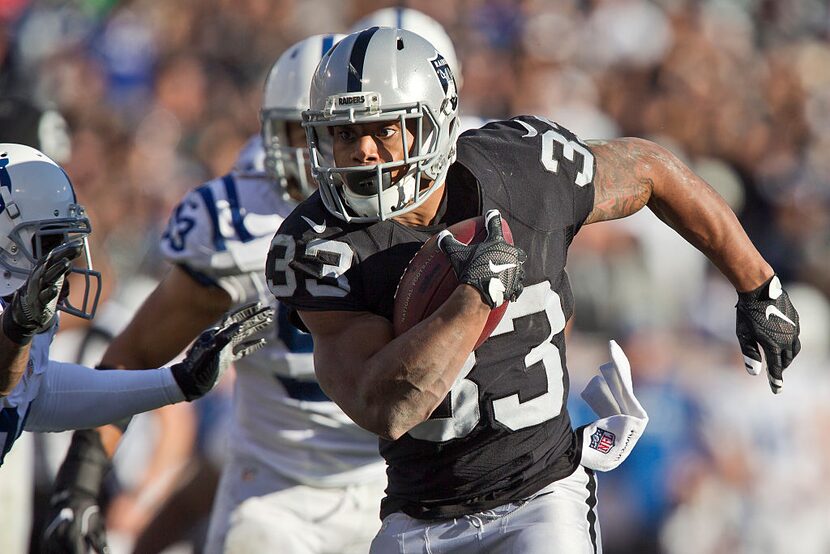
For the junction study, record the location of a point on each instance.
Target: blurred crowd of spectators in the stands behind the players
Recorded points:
(156, 97)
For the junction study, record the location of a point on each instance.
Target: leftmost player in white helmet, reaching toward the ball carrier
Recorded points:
(44, 230)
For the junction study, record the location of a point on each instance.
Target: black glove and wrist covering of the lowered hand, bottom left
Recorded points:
(75, 524)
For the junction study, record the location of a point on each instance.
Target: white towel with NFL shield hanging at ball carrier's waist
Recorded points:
(609, 440)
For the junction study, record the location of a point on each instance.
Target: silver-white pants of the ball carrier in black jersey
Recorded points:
(560, 519)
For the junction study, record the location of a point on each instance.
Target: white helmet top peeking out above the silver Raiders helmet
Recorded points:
(417, 22)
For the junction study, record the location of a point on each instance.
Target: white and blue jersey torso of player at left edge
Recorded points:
(14, 408)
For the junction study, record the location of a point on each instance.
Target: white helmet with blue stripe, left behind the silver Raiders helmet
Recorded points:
(285, 98)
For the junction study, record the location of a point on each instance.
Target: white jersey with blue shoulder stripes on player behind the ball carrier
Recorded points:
(220, 234)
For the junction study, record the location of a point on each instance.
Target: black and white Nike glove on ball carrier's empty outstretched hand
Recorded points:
(766, 317)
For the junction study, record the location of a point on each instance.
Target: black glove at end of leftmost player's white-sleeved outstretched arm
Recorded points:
(216, 348)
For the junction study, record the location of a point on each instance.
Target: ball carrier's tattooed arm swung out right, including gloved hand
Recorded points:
(632, 173)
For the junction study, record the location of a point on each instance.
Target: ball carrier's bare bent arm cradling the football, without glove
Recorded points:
(388, 385)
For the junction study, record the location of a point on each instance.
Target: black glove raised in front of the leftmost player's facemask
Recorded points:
(34, 304)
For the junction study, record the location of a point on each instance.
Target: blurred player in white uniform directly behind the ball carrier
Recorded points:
(300, 476)
